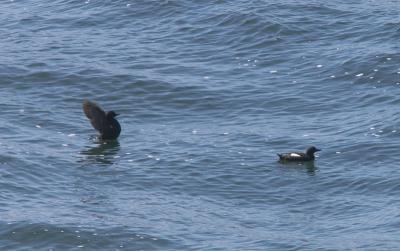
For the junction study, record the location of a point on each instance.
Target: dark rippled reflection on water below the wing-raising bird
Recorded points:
(103, 152)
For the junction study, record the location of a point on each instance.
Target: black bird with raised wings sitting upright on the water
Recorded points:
(103, 122)
